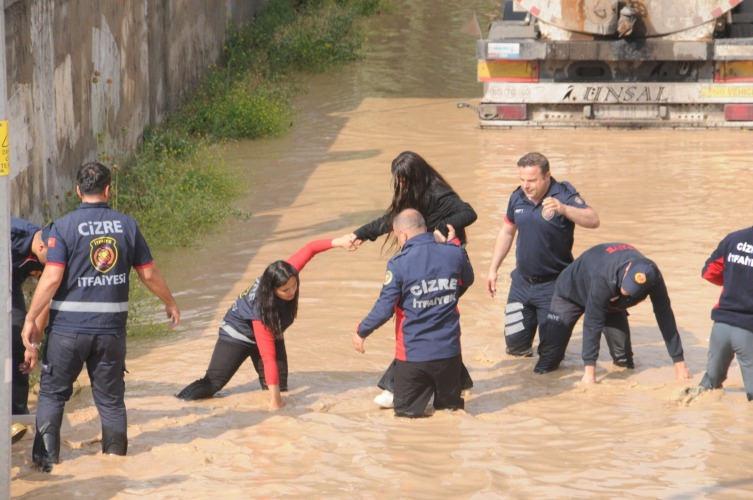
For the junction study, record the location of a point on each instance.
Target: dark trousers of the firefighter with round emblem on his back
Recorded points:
(62, 362)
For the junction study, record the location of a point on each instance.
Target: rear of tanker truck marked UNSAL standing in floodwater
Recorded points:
(625, 63)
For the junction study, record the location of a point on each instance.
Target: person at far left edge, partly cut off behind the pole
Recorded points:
(28, 256)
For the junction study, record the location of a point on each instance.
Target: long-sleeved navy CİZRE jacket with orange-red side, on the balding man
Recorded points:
(422, 287)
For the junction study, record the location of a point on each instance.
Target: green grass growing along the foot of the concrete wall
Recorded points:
(175, 185)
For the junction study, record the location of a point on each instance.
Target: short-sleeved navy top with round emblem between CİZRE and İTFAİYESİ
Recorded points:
(98, 246)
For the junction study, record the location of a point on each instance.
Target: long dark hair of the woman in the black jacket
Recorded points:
(413, 182)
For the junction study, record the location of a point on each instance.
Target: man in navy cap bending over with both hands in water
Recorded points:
(602, 284)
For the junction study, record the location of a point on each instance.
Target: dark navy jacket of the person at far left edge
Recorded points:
(23, 262)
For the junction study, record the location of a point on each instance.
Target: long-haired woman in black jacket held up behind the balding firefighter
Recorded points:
(417, 185)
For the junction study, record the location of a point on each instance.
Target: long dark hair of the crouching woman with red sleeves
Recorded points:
(275, 311)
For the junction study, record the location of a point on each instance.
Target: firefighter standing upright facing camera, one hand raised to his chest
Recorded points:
(543, 213)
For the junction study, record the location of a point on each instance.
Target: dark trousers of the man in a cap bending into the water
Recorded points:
(556, 331)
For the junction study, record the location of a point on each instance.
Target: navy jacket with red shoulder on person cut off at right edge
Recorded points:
(731, 266)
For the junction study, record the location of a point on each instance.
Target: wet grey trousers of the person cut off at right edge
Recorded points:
(726, 342)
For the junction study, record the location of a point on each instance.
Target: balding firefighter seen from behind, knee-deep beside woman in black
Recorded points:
(422, 286)
